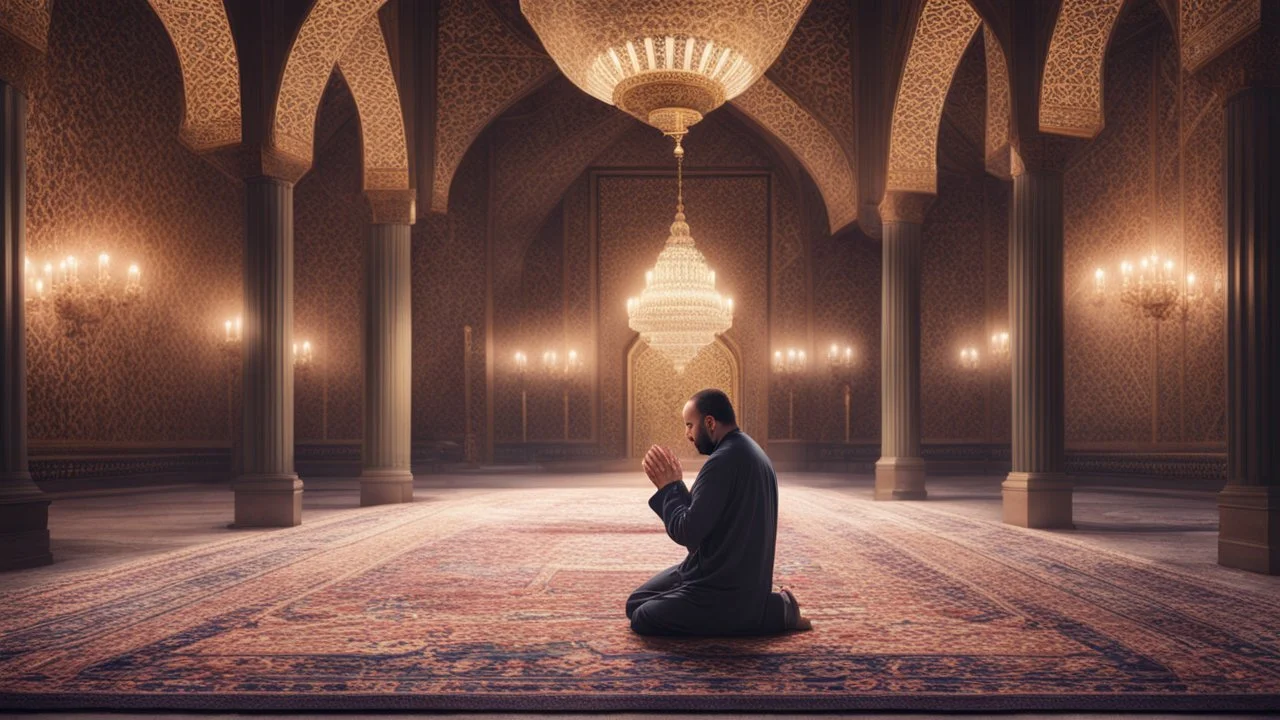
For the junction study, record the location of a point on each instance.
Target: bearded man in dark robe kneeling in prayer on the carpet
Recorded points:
(729, 525)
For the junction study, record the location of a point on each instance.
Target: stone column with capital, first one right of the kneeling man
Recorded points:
(900, 471)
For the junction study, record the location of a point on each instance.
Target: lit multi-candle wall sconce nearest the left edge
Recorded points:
(79, 306)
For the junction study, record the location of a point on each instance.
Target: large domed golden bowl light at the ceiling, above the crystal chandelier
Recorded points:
(665, 62)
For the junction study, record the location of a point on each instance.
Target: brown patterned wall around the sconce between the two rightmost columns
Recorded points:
(1151, 181)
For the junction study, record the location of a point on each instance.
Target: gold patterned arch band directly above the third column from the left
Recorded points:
(368, 70)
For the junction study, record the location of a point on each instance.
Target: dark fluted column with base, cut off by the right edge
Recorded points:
(1250, 504)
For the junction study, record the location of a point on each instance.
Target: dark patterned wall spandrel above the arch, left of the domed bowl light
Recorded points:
(482, 69)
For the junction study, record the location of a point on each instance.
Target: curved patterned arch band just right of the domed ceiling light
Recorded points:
(821, 154)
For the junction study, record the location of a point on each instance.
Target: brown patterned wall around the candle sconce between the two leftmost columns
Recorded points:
(107, 172)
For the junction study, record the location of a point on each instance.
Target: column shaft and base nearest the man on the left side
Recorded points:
(387, 476)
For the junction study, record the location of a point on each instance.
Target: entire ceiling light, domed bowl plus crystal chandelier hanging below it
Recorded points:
(669, 63)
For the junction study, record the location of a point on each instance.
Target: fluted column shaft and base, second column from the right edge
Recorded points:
(1037, 494)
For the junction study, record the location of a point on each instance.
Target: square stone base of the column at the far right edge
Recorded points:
(1249, 536)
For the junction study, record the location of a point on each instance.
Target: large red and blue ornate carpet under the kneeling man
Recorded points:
(514, 600)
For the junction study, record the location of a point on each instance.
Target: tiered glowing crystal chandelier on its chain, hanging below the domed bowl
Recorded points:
(680, 312)
